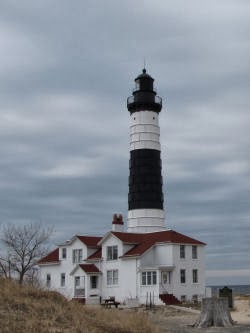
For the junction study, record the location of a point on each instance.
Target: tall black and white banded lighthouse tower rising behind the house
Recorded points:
(145, 198)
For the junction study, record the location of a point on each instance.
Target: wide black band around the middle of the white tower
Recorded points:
(145, 180)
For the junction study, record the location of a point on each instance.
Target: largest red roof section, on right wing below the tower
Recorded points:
(143, 242)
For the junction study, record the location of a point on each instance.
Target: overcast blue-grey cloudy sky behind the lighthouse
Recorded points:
(66, 69)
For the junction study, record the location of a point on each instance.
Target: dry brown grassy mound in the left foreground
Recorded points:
(26, 309)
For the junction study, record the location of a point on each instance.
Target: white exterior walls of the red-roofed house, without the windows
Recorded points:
(164, 259)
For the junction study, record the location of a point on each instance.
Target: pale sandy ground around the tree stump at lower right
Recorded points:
(175, 319)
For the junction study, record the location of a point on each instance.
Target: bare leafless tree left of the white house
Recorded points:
(25, 245)
